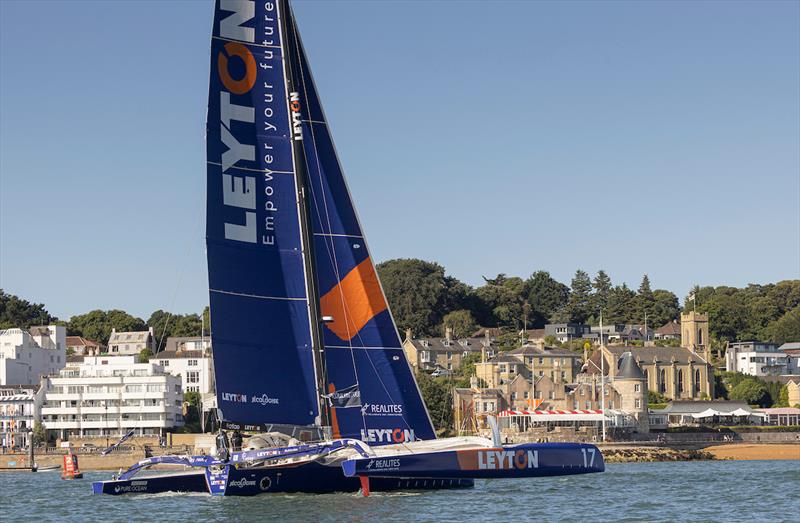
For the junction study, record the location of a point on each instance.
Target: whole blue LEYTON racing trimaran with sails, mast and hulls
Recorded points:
(306, 353)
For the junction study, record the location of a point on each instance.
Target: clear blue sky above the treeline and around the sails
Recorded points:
(658, 137)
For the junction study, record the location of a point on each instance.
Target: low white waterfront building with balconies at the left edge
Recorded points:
(20, 409)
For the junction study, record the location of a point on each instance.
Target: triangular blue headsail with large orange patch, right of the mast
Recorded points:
(363, 354)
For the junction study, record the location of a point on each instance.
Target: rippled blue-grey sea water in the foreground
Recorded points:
(691, 491)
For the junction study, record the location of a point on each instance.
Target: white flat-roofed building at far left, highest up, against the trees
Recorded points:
(27, 355)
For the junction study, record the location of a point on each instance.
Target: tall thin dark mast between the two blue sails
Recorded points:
(301, 175)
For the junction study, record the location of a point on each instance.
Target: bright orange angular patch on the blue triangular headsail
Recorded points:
(354, 301)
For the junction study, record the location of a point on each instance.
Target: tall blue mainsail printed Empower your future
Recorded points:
(259, 299)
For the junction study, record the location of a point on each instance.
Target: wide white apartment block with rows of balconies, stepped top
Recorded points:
(109, 395)
